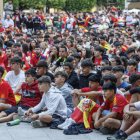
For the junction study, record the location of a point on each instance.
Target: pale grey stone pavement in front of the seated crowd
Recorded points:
(24, 131)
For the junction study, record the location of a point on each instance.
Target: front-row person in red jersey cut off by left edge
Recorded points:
(7, 98)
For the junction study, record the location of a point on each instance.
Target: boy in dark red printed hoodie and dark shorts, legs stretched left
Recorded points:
(31, 97)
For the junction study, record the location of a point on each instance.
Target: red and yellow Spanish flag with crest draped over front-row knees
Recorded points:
(84, 111)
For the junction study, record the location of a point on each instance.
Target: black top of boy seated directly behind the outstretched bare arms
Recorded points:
(84, 82)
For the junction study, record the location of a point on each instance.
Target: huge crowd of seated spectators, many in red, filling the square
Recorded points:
(71, 71)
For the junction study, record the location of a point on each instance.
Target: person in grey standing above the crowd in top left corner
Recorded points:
(8, 7)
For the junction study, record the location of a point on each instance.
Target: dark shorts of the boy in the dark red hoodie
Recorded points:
(15, 109)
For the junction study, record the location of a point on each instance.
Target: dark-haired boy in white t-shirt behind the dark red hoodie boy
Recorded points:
(16, 77)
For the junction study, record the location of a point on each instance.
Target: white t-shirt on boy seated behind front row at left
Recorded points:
(13, 79)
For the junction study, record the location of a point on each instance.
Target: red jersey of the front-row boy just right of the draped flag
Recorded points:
(117, 105)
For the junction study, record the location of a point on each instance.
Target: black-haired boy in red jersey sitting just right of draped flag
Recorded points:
(115, 103)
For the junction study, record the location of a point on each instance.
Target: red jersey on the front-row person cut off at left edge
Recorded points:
(6, 93)
